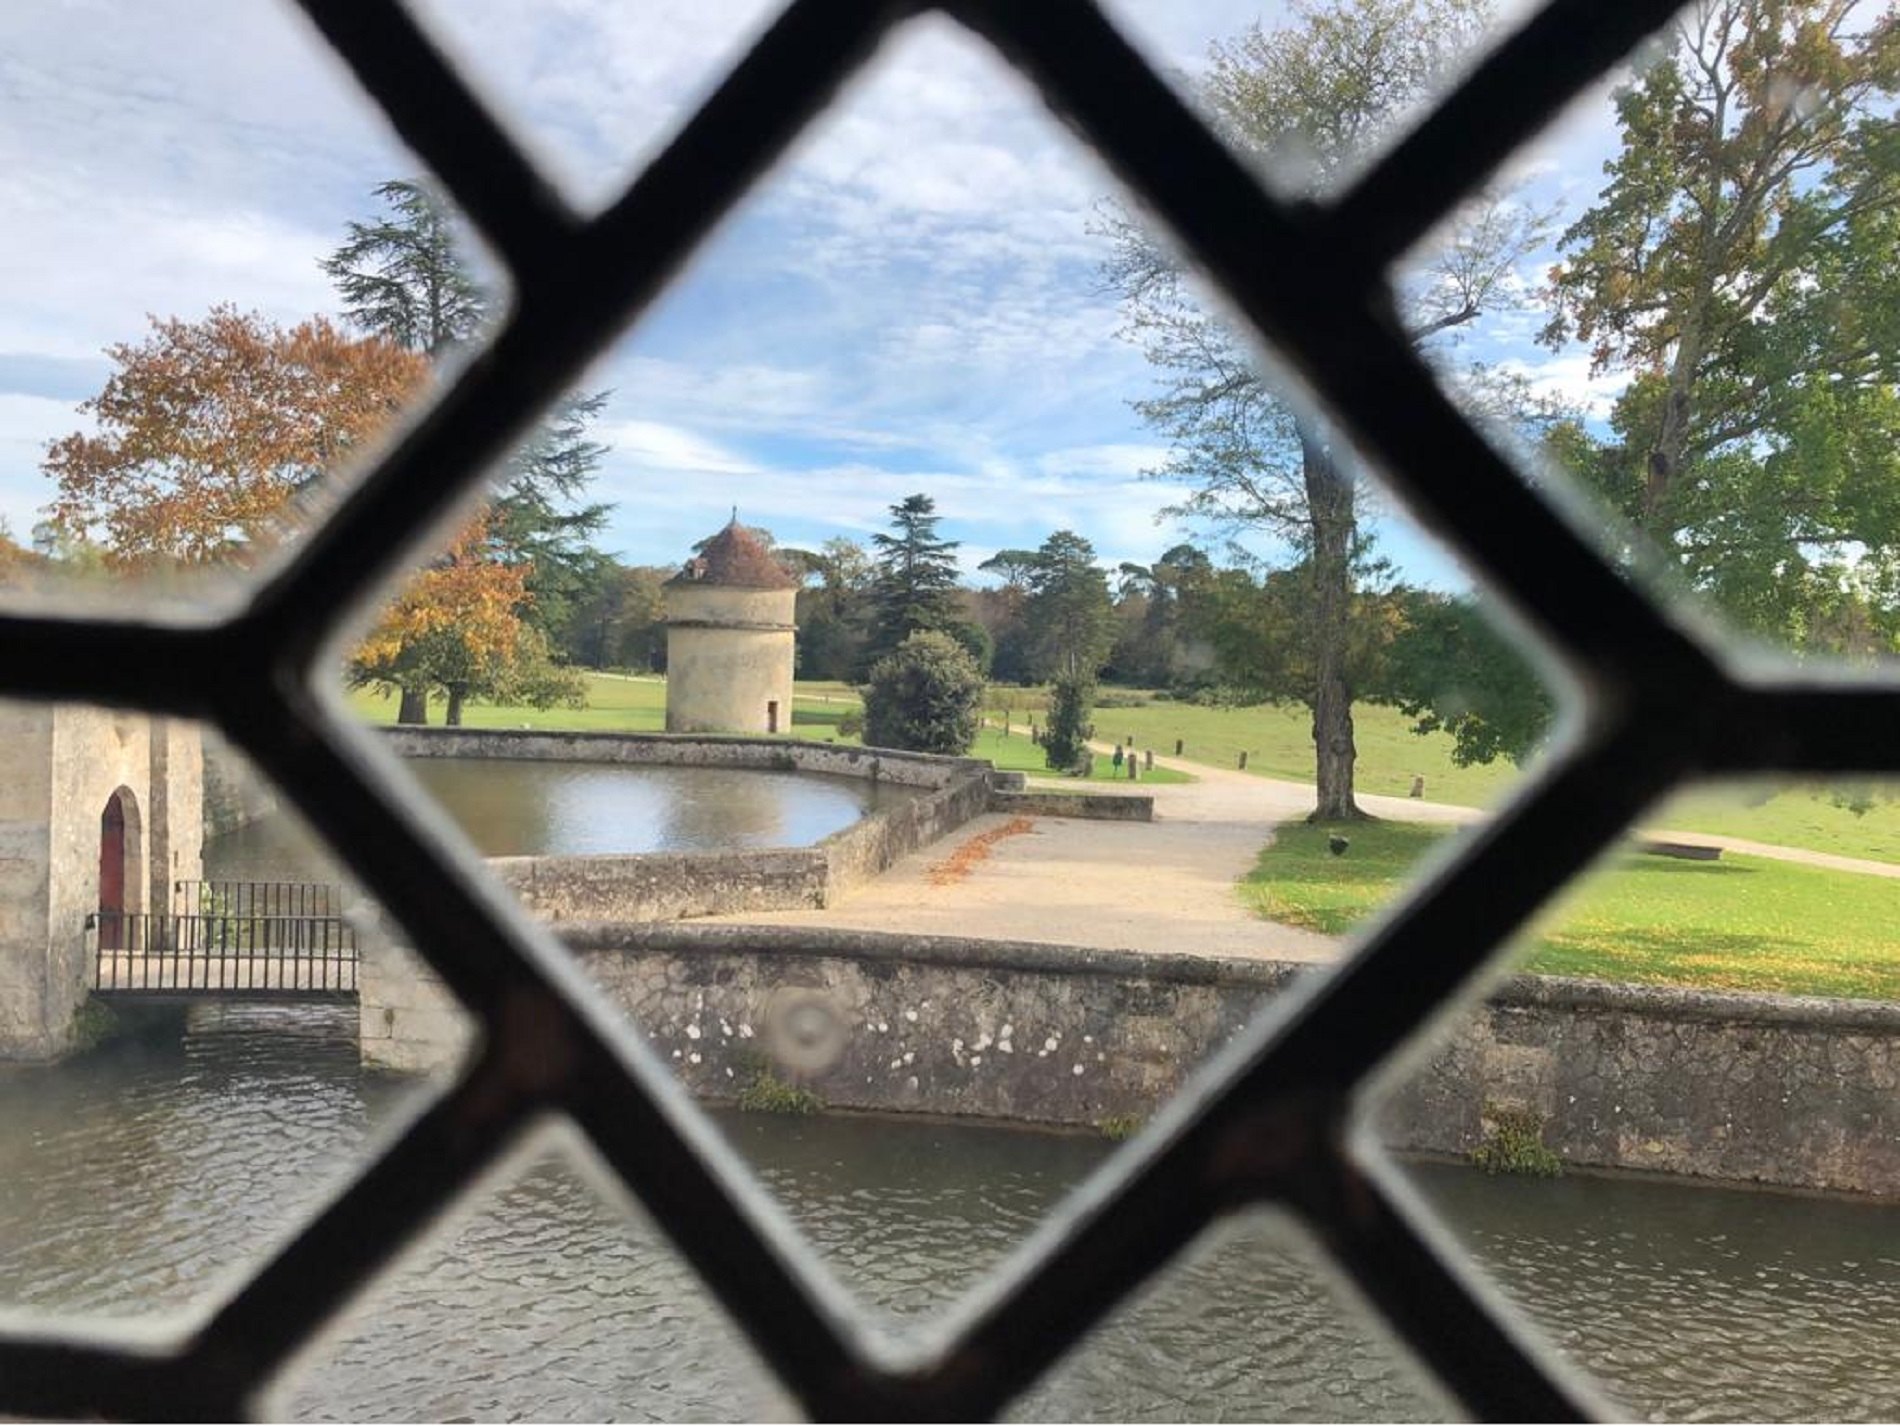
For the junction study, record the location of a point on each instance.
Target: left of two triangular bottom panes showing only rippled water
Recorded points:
(542, 1302)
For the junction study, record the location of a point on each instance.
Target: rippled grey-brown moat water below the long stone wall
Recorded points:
(138, 1180)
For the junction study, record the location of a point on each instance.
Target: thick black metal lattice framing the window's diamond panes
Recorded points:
(1276, 1119)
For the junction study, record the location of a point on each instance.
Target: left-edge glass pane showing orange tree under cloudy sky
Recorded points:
(180, 367)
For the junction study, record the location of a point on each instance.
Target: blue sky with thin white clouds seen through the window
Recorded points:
(911, 303)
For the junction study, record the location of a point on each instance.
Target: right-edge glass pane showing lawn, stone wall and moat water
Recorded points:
(1677, 1121)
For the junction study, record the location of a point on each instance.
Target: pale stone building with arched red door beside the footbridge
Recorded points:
(100, 814)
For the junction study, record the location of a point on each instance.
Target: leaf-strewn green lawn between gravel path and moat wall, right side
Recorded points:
(1739, 924)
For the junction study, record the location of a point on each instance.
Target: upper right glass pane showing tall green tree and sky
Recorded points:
(1719, 390)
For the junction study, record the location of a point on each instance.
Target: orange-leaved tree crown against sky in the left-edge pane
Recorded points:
(212, 434)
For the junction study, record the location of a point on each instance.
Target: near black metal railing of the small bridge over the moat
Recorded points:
(223, 954)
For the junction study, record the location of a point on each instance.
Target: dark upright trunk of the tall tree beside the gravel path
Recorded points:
(1329, 491)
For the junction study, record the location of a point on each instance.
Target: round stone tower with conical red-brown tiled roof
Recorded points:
(731, 639)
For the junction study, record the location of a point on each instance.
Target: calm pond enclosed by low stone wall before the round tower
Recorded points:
(516, 808)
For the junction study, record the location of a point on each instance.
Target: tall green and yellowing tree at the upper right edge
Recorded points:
(1743, 265)
